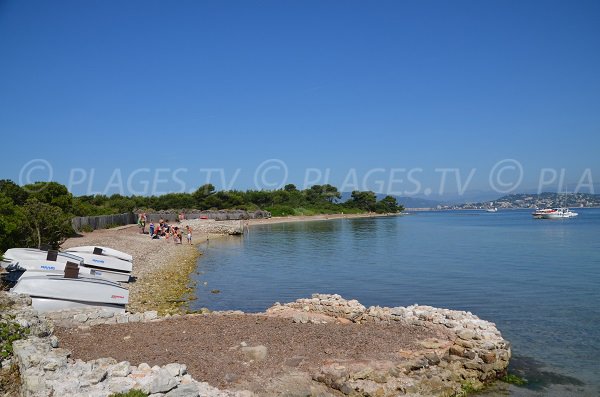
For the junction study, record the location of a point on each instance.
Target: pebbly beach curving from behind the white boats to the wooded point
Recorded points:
(163, 269)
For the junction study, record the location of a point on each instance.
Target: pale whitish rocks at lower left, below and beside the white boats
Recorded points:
(47, 370)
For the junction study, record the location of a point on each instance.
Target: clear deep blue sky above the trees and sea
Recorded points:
(149, 96)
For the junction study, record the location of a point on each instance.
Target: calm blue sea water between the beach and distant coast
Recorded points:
(538, 280)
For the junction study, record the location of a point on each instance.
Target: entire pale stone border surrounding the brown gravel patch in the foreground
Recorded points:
(465, 350)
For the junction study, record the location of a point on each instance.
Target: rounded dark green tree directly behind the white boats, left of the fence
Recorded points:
(47, 224)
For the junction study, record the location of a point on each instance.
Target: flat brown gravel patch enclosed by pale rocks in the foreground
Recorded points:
(211, 347)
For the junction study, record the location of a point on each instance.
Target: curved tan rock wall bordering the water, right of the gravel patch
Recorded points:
(473, 352)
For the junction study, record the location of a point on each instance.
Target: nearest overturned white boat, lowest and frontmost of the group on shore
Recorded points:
(54, 292)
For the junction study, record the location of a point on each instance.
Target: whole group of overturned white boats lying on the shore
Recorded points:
(79, 277)
